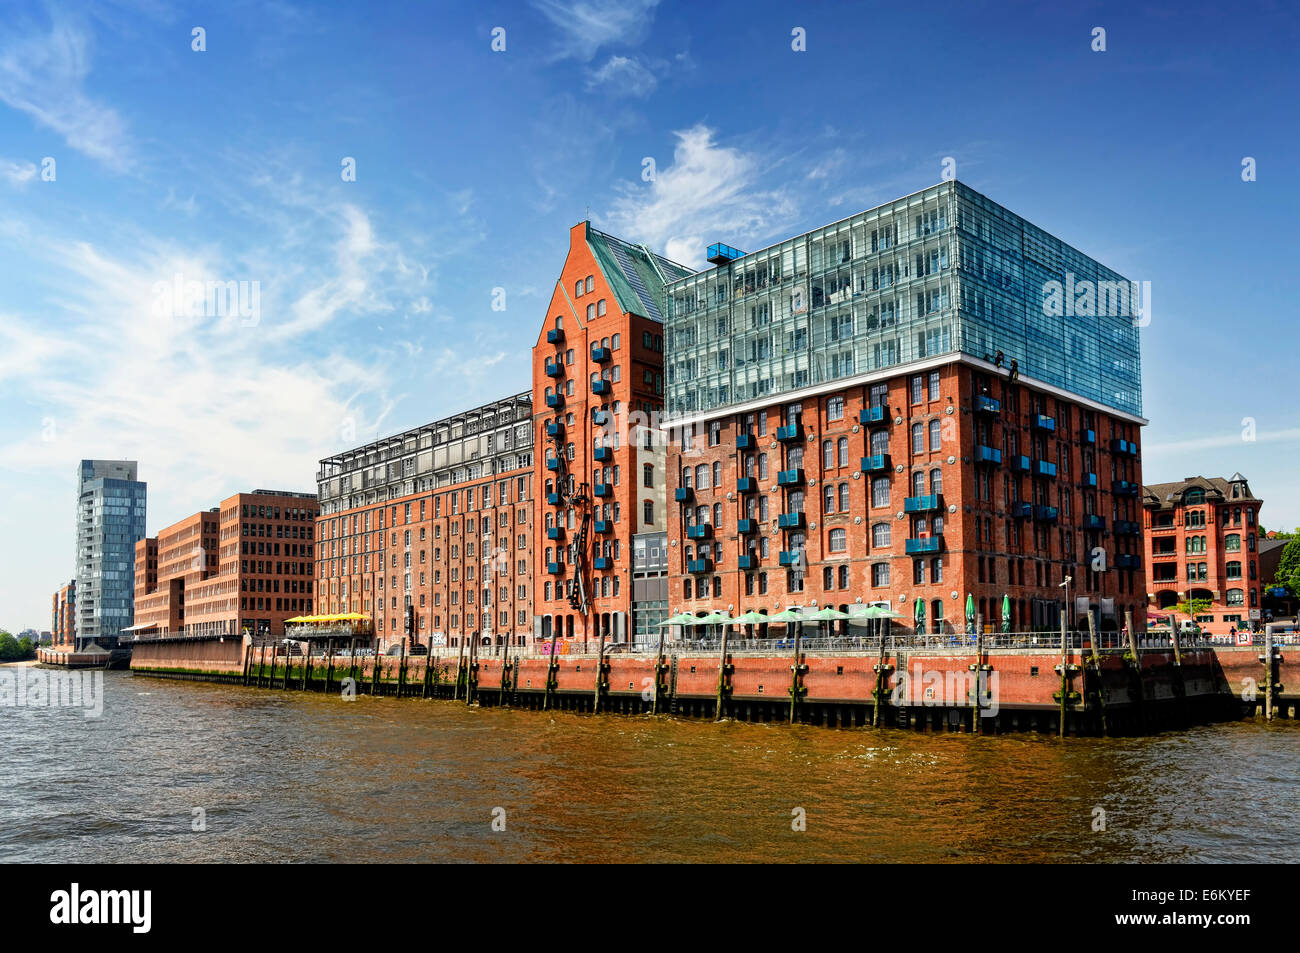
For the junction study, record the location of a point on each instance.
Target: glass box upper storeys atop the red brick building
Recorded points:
(943, 271)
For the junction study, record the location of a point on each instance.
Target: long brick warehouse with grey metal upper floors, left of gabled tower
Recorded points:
(434, 529)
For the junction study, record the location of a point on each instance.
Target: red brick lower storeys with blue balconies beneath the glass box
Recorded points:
(930, 483)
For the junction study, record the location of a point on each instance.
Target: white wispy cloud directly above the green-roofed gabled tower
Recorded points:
(709, 193)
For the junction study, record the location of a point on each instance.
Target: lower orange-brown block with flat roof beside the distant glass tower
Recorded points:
(245, 566)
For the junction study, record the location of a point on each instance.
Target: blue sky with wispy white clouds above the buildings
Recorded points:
(471, 164)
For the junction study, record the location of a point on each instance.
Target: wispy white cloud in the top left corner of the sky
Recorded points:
(44, 75)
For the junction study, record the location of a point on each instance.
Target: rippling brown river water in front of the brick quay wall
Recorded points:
(292, 777)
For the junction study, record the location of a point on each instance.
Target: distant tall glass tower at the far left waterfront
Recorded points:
(110, 521)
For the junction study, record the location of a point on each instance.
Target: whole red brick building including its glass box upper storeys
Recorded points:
(885, 411)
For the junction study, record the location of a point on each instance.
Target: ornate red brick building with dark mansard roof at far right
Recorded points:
(1202, 540)
